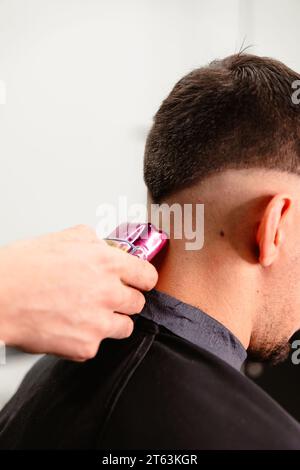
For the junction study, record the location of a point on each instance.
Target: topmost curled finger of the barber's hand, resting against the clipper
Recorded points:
(136, 272)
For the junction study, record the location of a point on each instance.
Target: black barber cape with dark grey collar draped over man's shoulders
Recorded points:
(174, 384)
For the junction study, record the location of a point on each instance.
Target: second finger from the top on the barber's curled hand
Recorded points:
(128, 300)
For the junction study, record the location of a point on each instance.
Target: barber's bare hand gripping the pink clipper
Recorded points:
(63, 293)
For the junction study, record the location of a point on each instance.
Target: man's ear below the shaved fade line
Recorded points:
(271, 229)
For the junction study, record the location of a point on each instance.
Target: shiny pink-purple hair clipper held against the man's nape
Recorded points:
(141, 240)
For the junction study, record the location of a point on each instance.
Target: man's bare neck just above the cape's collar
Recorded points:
(219, 288)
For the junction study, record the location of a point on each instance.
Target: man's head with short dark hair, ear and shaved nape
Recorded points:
(228, 135)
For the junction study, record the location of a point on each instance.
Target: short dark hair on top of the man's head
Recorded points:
(234, 113)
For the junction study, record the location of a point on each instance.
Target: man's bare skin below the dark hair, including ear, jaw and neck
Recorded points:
(247, 275)
